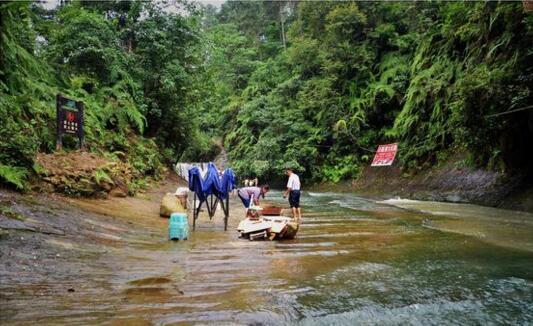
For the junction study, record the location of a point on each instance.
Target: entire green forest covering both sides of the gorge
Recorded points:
(311, 85)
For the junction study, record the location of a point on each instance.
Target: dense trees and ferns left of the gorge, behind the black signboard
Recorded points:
(136, 76)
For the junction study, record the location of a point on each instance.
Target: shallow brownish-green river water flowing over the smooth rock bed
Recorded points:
(355, 261)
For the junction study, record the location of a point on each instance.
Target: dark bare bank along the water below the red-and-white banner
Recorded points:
(447, 183)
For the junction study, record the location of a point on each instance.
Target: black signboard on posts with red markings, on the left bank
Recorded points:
(69, 117)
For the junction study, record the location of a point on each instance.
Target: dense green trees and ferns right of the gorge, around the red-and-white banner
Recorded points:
(356, 74)
